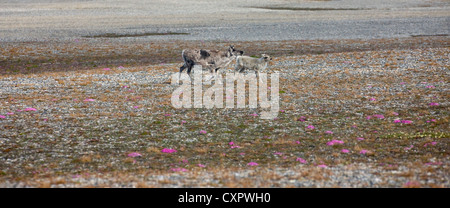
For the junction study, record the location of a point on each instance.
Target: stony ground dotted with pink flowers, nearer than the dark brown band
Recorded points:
(73, 142)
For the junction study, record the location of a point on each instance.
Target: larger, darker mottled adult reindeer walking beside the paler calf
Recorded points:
(211, 60)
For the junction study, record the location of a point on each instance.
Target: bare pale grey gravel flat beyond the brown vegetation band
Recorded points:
(223, 20)
